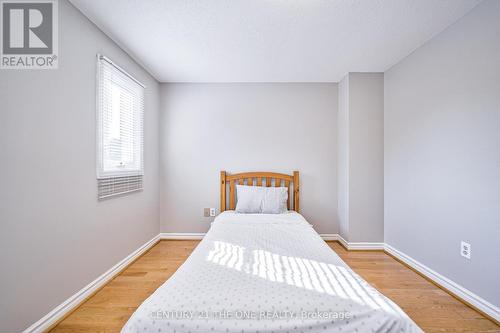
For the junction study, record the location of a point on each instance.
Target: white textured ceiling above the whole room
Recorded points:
(270, 40)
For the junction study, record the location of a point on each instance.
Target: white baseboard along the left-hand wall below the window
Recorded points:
(67, 306)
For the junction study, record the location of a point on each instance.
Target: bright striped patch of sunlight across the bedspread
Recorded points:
(299, 272)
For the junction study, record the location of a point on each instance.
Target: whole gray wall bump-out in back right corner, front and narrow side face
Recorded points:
(361, 162)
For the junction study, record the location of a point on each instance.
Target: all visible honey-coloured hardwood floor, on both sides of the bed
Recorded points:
(431, 308)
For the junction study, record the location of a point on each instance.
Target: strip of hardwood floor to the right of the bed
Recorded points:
(433, 309)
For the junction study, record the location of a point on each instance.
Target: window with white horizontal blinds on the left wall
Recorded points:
(120, 112)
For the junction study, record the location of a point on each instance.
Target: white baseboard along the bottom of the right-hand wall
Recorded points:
(465, 294)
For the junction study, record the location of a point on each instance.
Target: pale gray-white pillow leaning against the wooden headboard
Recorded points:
(259, 199)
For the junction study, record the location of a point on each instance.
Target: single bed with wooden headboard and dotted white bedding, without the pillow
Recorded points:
(266, 273)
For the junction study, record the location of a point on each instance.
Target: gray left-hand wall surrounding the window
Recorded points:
(55, 237)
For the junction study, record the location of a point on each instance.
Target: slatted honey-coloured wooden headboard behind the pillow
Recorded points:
(258, 179)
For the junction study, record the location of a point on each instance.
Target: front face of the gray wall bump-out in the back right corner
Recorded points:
(366, 150)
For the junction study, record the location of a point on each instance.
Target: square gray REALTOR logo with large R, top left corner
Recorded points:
(29, 34)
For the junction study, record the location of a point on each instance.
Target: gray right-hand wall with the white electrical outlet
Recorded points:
(442, 152)
